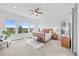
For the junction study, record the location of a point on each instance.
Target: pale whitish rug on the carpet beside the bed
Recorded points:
(34, 43)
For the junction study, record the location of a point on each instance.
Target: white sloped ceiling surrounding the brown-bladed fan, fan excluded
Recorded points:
(52, 12)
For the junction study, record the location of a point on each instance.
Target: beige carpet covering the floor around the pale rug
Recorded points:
(21, 48)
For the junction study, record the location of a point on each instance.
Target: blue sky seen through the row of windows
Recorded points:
(10, 23)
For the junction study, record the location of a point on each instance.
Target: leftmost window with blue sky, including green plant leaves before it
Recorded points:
(10, 27)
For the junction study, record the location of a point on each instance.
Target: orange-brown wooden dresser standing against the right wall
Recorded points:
(65, 42)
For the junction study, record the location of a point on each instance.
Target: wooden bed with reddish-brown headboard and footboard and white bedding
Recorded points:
(43, 36)
